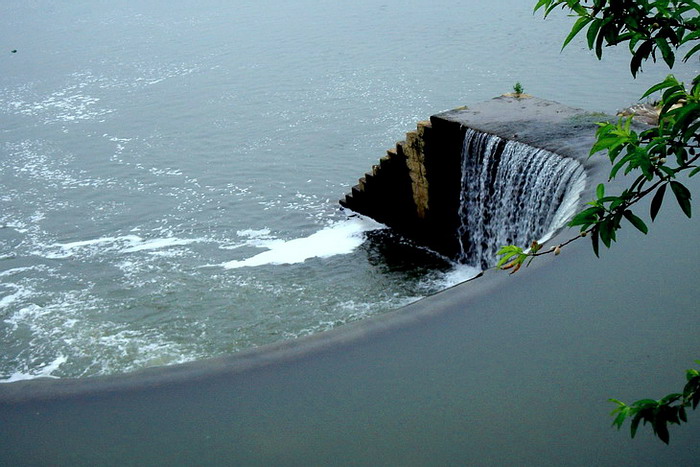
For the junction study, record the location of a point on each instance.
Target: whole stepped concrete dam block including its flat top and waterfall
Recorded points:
(511, 170)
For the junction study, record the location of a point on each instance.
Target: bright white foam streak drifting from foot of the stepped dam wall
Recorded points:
(338, 239)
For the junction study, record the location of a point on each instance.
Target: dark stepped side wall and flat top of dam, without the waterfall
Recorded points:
(432, 159)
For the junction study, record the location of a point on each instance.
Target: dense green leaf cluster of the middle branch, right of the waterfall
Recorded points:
(660, 153)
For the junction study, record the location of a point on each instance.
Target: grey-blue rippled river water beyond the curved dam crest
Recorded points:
(170, 170)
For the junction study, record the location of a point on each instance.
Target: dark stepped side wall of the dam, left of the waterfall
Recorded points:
(415, 188)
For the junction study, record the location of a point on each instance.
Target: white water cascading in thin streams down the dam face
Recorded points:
(512, 194)
